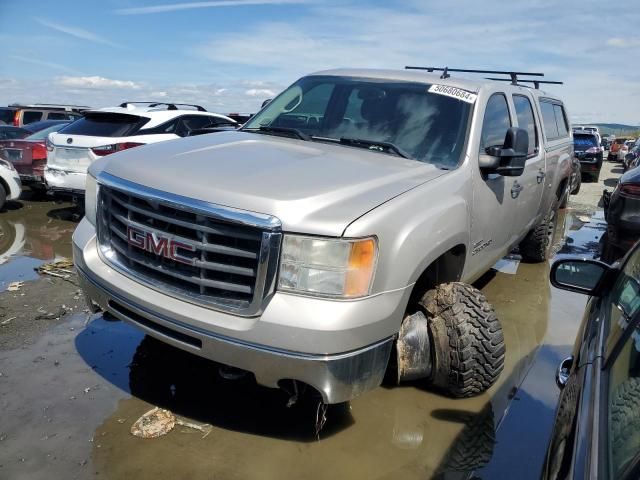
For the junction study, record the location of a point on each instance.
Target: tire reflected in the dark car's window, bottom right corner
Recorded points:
(625, 421)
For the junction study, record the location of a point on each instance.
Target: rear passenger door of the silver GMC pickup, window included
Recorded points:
(529, 187)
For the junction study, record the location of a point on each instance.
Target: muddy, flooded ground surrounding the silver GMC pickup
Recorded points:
(71, 384)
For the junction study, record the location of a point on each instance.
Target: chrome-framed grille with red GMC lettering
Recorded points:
(226, 259)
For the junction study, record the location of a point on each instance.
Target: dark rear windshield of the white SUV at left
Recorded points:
(105, 125)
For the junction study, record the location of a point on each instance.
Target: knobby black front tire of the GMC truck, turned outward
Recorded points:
(468, 342)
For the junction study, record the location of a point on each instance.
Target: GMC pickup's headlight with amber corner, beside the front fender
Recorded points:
(339, 268)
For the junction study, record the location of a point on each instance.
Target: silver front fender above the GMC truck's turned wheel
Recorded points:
(416, 228)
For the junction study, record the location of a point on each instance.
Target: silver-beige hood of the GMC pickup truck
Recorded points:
(312, 187)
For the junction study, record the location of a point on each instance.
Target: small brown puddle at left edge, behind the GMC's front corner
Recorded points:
(33, 233)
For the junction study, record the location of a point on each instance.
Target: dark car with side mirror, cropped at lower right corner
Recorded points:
(597, 428)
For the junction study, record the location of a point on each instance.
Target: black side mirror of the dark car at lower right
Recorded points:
(579, 275)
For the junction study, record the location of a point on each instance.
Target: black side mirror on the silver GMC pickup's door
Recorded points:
(508, 160)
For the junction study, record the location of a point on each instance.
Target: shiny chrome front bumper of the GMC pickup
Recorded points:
(338, 377)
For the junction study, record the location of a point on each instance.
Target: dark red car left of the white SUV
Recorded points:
(29, 155)
